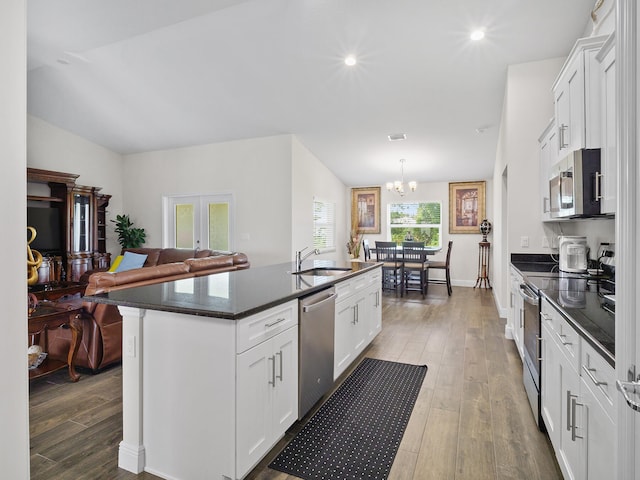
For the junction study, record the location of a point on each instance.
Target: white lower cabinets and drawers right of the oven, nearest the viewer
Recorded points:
(577, 401)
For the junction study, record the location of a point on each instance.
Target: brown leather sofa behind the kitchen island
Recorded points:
(102, 329)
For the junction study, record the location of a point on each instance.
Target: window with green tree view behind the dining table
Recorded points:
(419, 221)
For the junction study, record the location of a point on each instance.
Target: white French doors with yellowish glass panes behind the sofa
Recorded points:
(198, 221)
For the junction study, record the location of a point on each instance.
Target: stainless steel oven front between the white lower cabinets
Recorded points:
(531, 367)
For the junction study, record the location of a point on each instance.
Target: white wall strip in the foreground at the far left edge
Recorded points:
(14, 400)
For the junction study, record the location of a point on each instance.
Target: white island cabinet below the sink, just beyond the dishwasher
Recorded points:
(358, 317)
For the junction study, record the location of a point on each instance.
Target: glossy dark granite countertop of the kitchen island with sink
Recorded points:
(232, 295)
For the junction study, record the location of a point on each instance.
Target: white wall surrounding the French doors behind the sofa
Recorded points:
(257, 172)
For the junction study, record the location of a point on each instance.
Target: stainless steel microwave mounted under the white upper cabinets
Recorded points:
(574, 185)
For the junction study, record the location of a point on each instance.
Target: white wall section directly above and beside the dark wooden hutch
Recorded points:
(52, 148)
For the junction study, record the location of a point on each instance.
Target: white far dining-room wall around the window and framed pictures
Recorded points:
(464, 255)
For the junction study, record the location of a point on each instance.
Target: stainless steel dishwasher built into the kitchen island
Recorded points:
(316, 330)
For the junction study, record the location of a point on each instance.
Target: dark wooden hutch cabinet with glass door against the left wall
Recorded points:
(73, 224)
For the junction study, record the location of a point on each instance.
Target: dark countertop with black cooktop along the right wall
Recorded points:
(579, 298)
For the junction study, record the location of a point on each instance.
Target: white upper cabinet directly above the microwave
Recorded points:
(576, 96)
